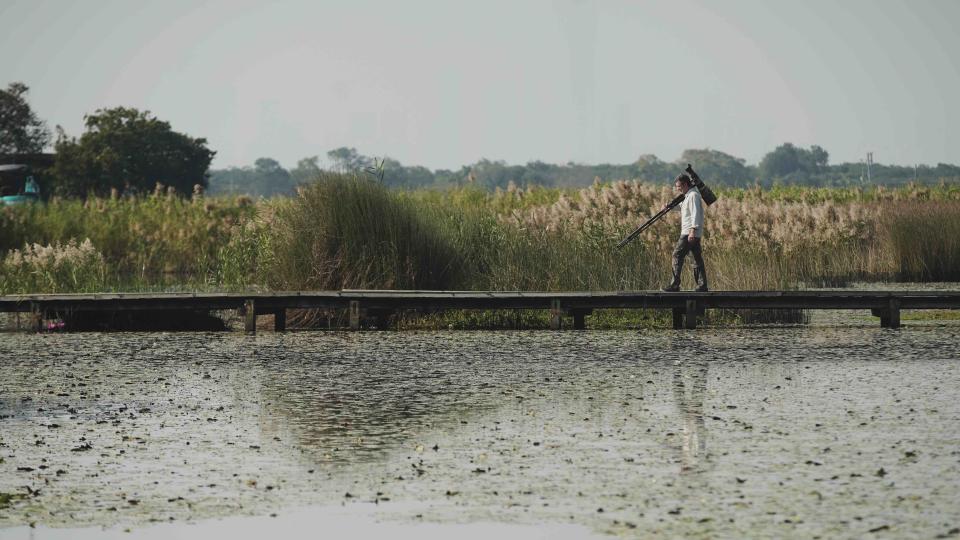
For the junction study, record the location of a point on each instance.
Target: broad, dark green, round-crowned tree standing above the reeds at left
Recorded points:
(128, 150)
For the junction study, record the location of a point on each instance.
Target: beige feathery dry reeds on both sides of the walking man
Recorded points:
(759, 240)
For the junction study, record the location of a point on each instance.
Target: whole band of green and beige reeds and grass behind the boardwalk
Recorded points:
(350, 232)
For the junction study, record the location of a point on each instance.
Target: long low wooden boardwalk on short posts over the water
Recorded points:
(378, 305)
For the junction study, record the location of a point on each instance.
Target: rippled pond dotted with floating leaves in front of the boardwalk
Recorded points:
(818, 430)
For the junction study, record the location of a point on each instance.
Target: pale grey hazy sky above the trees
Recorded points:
(444, 83)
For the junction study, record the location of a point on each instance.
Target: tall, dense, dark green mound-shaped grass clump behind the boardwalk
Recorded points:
(346, 231)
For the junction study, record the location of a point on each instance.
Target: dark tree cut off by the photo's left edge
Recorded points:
(21, 131)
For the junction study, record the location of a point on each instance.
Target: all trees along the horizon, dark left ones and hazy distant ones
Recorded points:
(125, 150)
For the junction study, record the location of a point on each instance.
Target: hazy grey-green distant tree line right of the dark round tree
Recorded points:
(785, 165)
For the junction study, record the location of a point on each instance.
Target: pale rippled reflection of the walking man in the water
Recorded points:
(689, 387)
